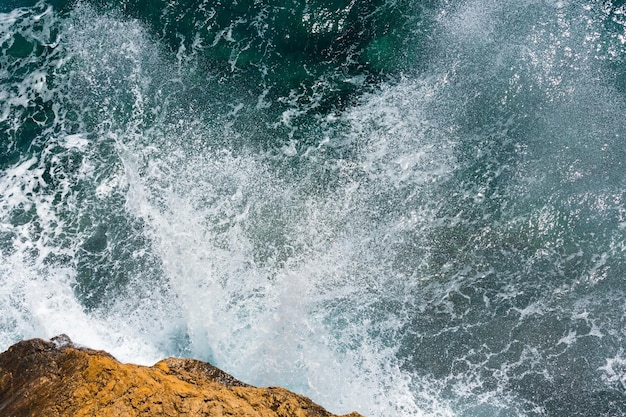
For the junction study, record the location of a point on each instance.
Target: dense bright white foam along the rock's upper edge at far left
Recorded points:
(43, 305)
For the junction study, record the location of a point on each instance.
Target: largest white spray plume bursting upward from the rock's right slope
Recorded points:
(255, 311)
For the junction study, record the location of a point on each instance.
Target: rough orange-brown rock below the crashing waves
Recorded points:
(57, 378)
